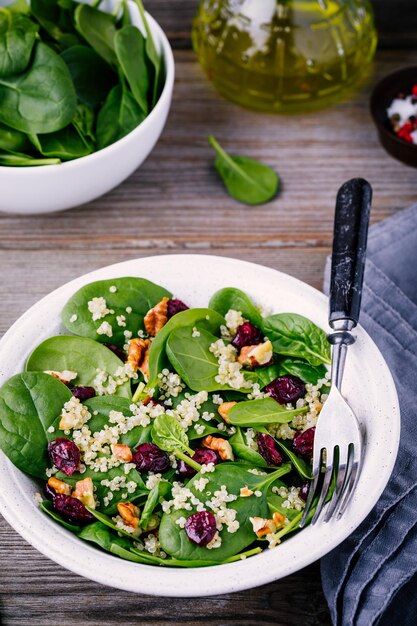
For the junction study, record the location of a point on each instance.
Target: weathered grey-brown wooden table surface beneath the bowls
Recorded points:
(175, 204)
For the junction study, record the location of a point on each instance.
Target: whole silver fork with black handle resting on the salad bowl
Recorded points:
(338, 438)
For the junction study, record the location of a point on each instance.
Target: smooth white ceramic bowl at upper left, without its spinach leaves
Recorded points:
(43, 189)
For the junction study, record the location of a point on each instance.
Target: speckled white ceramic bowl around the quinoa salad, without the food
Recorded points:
(368, 385)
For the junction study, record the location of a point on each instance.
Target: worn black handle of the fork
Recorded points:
(353, 206)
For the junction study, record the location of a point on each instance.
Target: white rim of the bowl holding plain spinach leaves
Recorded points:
(163, 99)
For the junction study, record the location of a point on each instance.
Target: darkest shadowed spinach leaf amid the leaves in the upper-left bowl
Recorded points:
(92, 77)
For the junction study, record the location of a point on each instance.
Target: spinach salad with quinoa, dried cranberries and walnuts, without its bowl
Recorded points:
(165, 434)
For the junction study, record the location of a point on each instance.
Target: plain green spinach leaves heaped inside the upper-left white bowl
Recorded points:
(73, 79)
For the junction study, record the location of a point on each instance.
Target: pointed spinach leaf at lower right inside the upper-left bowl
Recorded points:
(119, 115)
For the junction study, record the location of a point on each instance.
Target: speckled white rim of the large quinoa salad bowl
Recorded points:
(231, 577)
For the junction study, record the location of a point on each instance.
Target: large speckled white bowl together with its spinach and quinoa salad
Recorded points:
(189, 479)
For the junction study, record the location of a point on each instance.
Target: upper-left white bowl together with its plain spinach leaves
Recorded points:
(85, 91)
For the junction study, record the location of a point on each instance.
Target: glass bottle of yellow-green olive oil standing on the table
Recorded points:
(284, 56)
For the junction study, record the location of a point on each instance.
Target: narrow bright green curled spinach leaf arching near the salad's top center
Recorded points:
(201, 318)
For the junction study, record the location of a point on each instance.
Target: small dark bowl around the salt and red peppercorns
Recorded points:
(382, 96)
